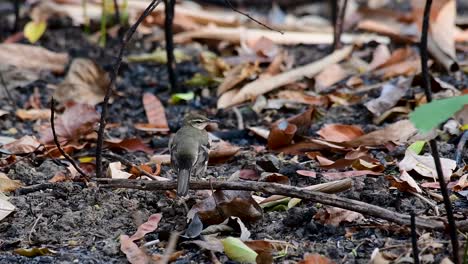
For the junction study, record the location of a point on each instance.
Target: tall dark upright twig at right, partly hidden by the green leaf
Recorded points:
(435, 153)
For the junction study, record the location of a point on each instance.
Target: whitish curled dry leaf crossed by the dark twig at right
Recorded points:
(424, 165)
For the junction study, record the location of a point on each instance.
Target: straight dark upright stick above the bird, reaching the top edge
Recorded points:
(169, 34)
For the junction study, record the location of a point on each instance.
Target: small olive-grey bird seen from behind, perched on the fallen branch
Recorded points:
(189, 151)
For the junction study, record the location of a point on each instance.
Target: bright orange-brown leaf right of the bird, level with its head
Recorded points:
(340, 133)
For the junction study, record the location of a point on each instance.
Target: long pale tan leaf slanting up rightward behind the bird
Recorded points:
(264, 85)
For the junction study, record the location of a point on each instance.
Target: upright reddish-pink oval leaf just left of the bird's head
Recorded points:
(155, 111)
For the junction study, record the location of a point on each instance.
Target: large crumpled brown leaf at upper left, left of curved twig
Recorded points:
(86, 82)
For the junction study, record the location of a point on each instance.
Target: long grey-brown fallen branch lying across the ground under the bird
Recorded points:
(285, 190)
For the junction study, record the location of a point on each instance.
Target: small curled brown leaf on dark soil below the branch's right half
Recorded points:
(335, 216)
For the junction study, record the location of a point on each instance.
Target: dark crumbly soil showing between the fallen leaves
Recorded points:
(82, 223)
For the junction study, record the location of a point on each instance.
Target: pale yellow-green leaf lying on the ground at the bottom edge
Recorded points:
(236, 250)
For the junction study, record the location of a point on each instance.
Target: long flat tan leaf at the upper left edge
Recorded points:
(33, 57)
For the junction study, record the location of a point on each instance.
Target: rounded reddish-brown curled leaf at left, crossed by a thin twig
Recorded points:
(77, 121)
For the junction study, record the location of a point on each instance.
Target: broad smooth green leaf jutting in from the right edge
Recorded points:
(429, 116)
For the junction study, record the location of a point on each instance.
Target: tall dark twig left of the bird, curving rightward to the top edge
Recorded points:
(102, 122)
